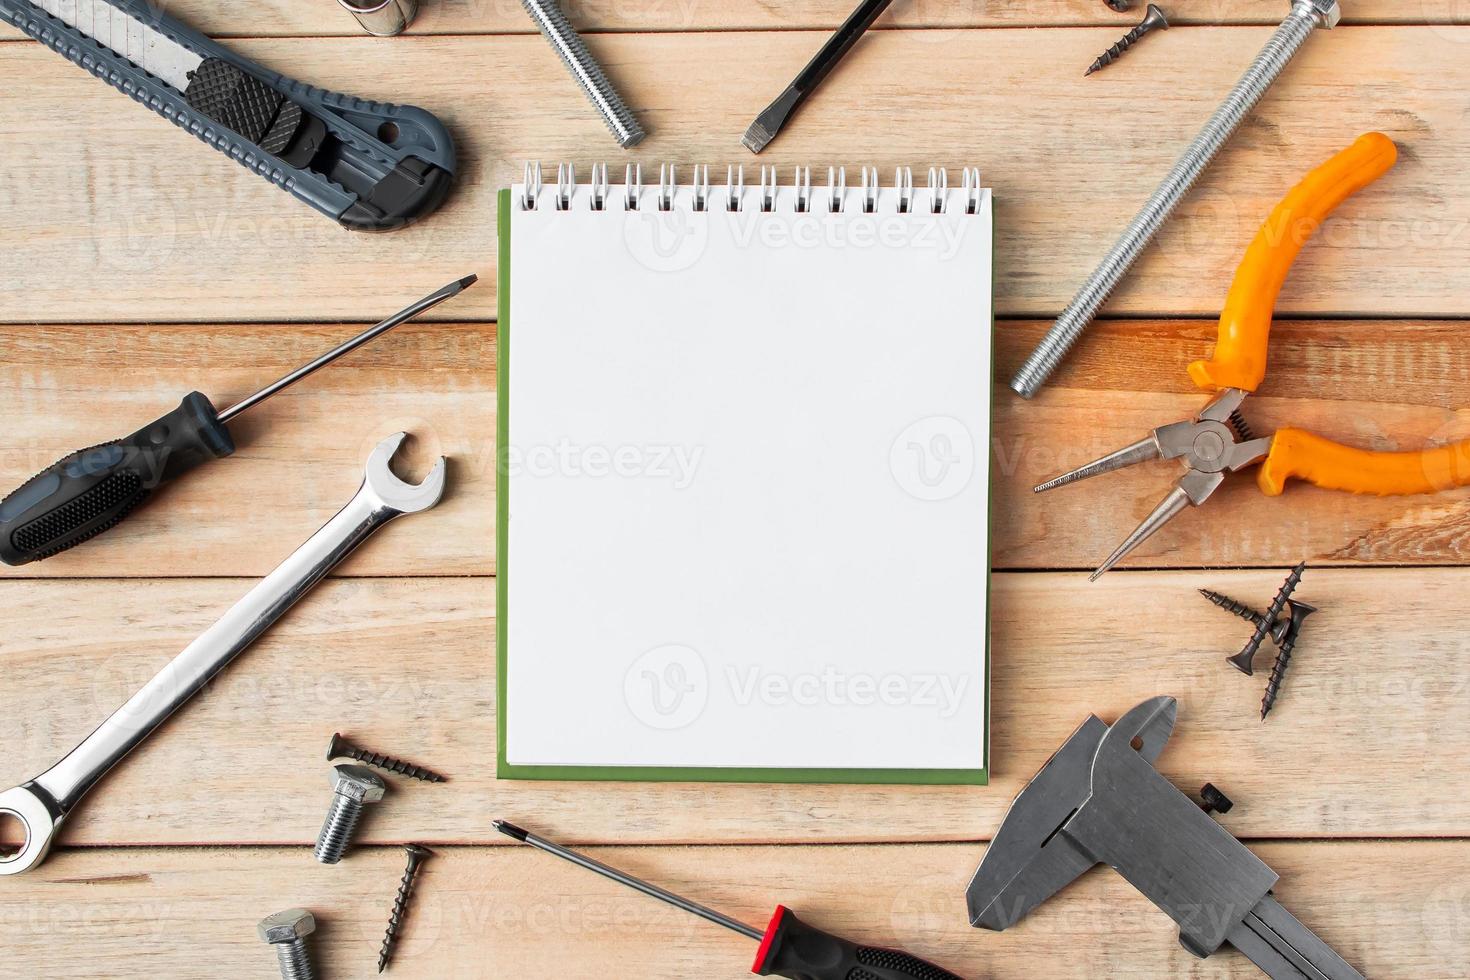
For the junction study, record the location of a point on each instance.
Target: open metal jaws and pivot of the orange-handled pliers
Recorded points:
(1212, 444)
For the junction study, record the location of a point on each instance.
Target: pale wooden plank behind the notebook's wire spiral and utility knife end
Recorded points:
(148, 226)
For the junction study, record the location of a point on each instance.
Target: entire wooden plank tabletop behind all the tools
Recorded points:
(137, 265)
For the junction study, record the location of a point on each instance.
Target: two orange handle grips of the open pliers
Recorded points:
(1246, 327)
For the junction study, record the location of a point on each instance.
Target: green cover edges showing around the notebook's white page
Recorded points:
(978, 777)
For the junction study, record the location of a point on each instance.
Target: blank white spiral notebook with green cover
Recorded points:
(745, 478)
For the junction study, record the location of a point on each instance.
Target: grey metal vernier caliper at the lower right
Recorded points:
(1102, 801)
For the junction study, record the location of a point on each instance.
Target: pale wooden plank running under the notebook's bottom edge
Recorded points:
(337, 663)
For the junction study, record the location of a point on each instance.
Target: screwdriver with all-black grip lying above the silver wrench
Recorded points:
(93, 490)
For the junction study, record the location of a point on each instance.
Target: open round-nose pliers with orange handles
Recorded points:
(1218, 440)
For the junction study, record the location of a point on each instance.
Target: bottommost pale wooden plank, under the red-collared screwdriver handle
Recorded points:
(511, 912)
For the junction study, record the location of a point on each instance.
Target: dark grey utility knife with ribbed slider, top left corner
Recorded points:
(368, 165)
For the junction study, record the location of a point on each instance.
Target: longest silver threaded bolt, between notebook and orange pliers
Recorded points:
(1305, 18)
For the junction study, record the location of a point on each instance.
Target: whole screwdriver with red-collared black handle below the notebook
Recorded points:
(789, 948)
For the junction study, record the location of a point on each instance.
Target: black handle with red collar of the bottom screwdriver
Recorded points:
(802, 953)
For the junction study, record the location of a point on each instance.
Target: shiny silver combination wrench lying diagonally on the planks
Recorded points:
(46, 801)
